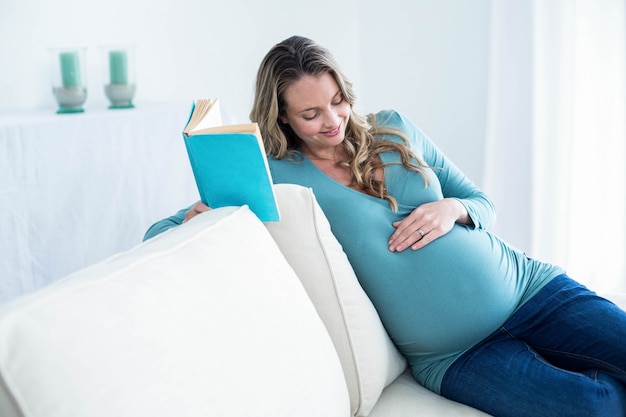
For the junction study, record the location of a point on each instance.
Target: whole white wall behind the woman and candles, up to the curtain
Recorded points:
(427, 58)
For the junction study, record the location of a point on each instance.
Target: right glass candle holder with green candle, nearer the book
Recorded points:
(119, 84)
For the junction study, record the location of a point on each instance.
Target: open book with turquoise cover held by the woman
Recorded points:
(229, 162)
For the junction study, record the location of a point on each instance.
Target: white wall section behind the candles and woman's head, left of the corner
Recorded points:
(185, 48)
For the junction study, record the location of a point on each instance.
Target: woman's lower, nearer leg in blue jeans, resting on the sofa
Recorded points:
(506, 378)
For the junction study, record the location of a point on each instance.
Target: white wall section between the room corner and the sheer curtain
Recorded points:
(429, 59)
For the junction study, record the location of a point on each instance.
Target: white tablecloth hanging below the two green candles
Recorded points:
(78, 188)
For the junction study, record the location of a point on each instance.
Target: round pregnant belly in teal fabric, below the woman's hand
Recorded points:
(446, 296)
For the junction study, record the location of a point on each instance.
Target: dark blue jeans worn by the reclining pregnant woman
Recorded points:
(563, 353)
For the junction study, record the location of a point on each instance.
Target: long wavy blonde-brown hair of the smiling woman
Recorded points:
(286, 63)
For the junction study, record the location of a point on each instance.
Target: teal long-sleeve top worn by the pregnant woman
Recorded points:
(438, 301)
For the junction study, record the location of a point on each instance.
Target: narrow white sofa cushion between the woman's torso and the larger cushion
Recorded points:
(369, 359)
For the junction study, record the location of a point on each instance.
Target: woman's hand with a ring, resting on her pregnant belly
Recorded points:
(427, 223)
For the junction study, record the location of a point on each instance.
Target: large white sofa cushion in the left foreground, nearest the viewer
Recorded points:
(207, 319)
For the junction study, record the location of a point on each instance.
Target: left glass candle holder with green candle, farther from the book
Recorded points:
(69, 79)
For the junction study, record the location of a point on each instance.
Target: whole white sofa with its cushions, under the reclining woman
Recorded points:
(222, 316)
